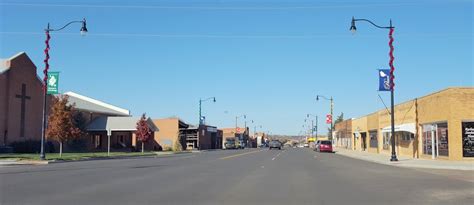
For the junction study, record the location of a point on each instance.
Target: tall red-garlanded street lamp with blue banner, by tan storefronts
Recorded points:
(353, 29)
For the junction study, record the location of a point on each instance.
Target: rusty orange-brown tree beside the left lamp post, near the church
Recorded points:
(61, 125)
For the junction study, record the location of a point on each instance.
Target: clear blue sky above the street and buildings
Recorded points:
(266, 59)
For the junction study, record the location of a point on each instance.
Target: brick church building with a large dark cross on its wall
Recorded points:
(21, 100)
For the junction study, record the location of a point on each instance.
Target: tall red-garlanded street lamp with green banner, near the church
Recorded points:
(45, 79)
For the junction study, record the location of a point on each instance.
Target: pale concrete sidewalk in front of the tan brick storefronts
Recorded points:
(406, 161)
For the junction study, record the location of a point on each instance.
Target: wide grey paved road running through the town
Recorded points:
(254, 176)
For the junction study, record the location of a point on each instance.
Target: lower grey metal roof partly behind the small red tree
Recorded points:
(105, 123)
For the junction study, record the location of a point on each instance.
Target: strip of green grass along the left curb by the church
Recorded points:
(74, 156)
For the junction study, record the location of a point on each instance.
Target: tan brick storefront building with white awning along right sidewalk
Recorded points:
(437, 126)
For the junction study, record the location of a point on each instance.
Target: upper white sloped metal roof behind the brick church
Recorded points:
(91, 105)
